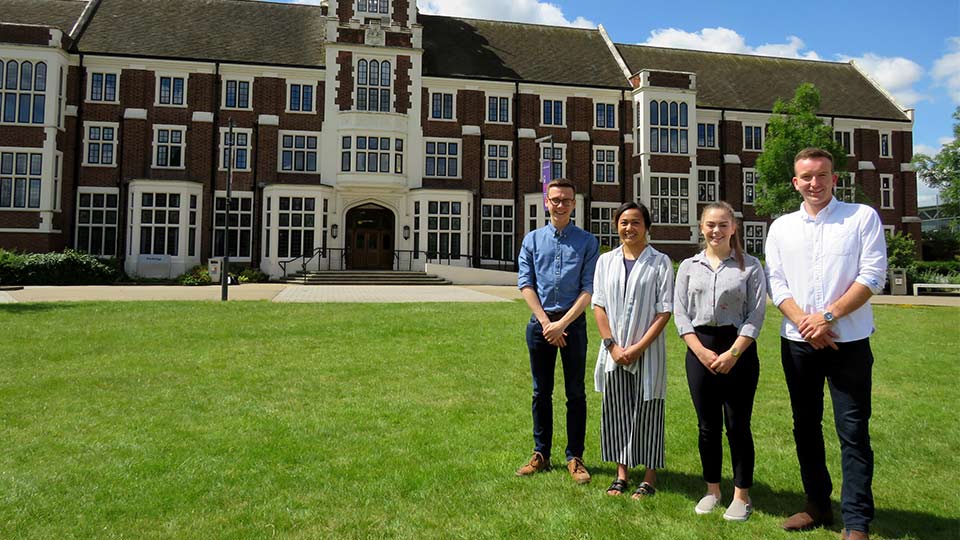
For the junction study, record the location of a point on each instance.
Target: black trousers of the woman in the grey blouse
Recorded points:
(724, 399)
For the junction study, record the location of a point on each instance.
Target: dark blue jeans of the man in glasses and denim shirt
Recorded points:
(543, 361)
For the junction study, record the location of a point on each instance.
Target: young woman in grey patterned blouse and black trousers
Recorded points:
(718, 305)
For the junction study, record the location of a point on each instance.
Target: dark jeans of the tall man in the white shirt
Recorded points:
(849, 373)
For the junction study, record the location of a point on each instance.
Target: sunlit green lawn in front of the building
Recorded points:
(259, 420)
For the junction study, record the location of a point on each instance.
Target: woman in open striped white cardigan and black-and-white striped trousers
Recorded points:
(632, 302)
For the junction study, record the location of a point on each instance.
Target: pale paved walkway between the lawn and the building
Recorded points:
(281, 292)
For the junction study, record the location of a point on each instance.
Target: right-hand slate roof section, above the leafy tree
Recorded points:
(753, 83)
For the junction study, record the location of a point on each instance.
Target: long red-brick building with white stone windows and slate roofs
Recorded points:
(366, 135)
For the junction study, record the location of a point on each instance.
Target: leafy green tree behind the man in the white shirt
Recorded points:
(793, 126)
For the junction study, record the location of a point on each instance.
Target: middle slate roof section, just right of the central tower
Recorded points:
(480, 49)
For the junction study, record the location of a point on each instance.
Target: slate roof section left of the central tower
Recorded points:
(243, 31)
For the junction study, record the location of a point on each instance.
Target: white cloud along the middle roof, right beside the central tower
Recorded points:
(529, 11)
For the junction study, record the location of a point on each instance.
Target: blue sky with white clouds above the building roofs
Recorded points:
(914, 55)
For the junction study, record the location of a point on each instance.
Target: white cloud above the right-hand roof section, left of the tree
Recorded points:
(726, 40)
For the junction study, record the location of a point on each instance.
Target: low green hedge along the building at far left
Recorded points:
(58, 268)
